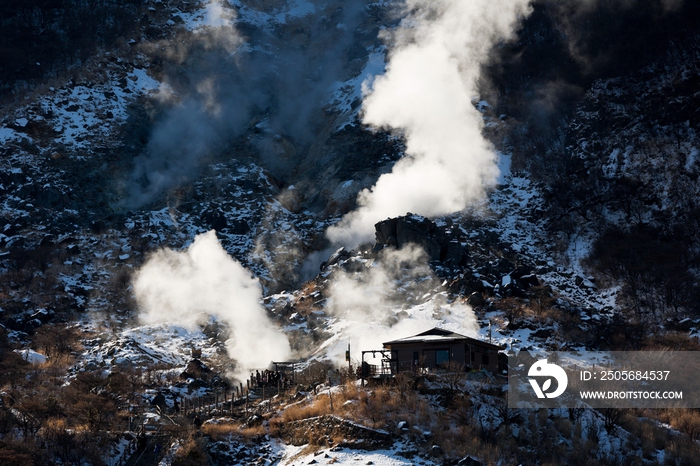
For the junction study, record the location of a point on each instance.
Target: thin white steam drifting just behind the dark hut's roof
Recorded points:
(397, 296)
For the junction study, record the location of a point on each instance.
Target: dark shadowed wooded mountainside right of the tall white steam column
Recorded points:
(610, 129)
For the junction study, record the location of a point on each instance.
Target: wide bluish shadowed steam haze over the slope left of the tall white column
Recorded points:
(271, 83)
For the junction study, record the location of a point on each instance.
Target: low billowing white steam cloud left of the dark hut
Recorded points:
(189, 286)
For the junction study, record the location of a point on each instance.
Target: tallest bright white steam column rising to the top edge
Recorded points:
(427, 93)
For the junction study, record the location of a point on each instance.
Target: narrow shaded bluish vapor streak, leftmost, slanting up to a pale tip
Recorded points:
(202, 107)
